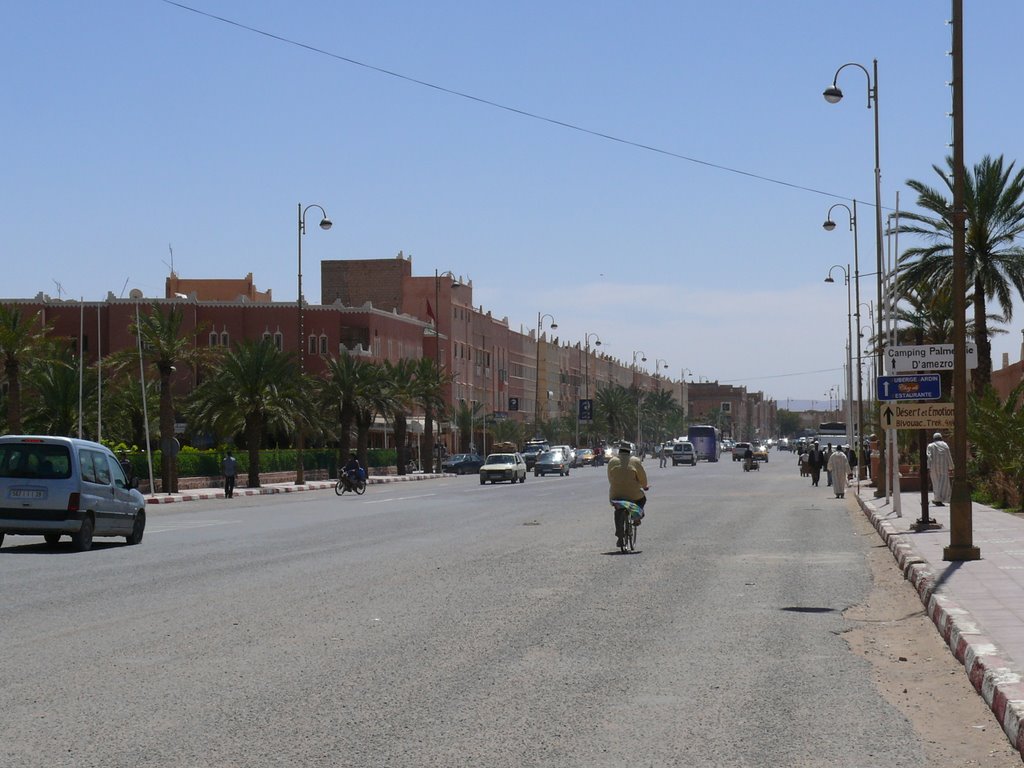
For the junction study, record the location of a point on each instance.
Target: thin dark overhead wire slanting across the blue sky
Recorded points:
(506, 108)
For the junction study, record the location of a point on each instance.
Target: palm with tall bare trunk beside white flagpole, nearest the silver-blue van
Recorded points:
(165, 347)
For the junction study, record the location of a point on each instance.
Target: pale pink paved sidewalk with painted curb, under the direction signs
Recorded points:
(978, 607)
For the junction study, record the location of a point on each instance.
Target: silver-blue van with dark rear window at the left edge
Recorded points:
(54, 487)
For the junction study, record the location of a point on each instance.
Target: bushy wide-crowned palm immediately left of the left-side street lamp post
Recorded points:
(254, 389)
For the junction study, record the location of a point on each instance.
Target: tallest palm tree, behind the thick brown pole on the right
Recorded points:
(995, 200)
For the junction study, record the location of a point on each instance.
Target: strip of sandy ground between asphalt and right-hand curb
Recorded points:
(916, 671)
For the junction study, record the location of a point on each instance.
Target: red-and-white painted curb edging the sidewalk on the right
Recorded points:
(991, 673)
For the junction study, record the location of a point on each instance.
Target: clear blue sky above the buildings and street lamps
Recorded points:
(134, 127)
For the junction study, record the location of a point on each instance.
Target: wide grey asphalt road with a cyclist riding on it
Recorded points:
(449, 624)
